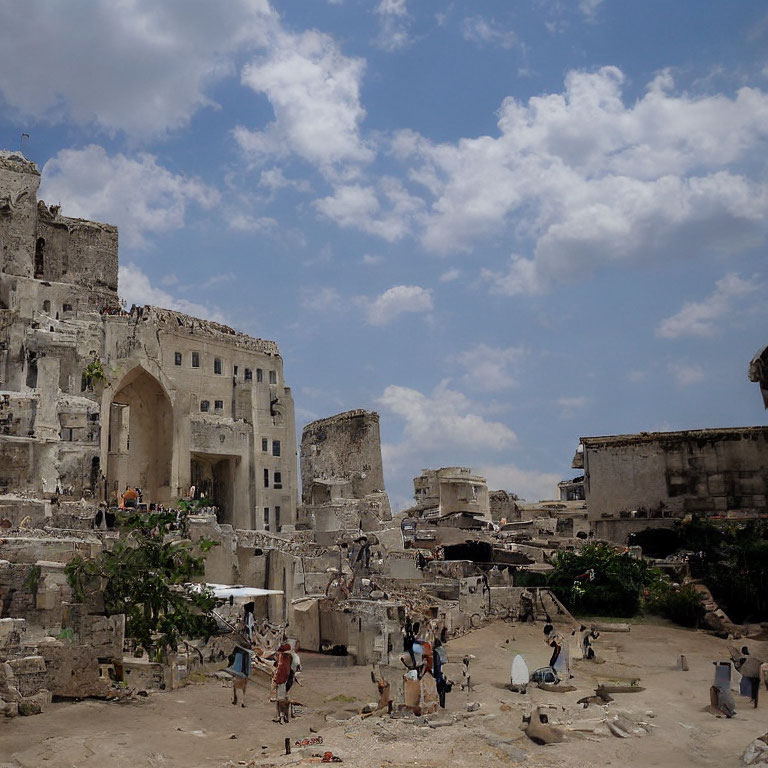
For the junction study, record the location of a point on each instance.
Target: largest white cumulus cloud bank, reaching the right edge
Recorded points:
(579, 179)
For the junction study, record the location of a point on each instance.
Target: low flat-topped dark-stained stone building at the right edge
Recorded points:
(651, 479)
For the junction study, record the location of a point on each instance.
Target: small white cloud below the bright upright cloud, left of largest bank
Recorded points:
(360, 207)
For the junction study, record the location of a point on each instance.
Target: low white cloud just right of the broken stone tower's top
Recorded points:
(445, 420)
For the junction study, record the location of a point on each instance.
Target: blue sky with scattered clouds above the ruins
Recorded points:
(502, 225)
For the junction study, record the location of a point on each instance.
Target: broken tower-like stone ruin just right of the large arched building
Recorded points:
(342, 480)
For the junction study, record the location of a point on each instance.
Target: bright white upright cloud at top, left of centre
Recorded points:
(314, 91)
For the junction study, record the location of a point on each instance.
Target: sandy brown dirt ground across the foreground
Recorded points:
(198, 726)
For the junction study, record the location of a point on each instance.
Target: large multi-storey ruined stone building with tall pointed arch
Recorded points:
(94, 399)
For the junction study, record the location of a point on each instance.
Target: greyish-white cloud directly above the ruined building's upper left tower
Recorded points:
(138, 195)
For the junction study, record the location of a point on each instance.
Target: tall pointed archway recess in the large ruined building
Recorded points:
(140, 438)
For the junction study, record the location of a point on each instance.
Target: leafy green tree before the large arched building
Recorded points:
(142, 576)
